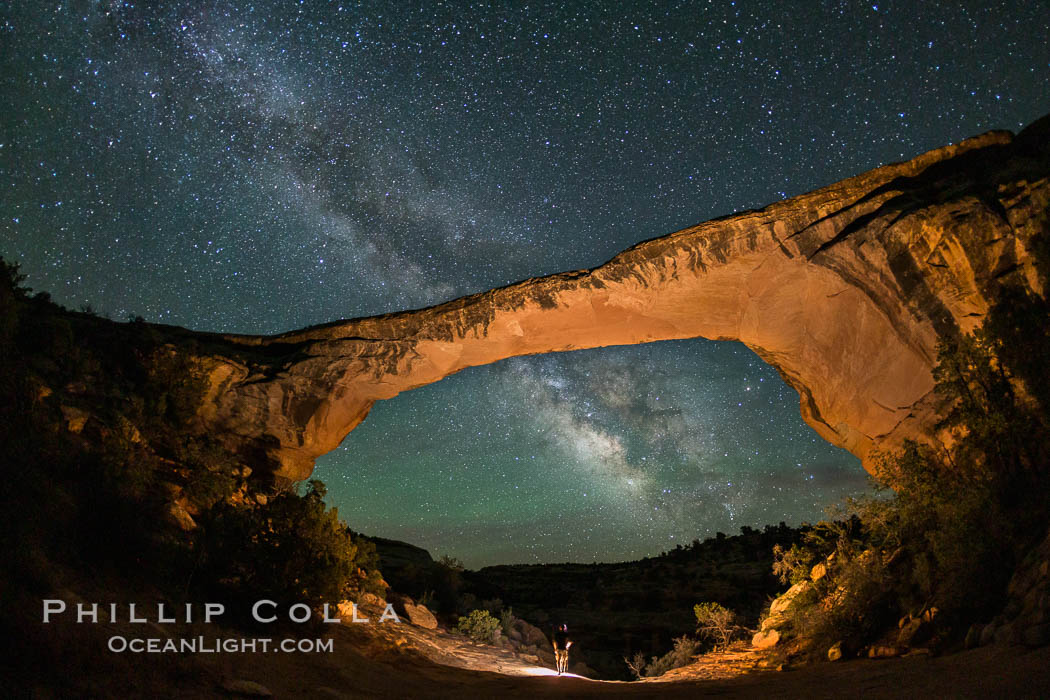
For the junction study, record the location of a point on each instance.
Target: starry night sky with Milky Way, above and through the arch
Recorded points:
(262, 167)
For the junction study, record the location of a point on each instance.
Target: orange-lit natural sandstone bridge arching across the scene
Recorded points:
(846, 291)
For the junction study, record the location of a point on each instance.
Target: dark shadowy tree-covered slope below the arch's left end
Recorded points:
(103, 453)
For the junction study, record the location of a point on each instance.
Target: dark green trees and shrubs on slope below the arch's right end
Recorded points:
(959, 518)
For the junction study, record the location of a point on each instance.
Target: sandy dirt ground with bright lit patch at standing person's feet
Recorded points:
(405, 662)
